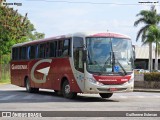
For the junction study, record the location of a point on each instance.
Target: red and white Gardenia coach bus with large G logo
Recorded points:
(99, 63)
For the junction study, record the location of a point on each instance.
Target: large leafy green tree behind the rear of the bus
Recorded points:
(14, 28)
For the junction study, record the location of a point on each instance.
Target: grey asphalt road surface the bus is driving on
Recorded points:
(13, 98)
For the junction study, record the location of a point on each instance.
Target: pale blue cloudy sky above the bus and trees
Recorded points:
(60, 17)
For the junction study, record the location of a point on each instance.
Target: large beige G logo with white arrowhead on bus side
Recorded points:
(44, 71)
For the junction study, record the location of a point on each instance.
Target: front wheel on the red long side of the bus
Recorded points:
(66, 91)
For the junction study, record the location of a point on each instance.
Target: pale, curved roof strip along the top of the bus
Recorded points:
(79, 34)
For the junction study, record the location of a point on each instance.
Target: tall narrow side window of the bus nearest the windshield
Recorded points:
(77, 53)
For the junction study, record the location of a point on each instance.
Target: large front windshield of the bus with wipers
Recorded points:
(109, 55)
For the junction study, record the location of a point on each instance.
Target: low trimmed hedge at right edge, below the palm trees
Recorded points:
(154, 76)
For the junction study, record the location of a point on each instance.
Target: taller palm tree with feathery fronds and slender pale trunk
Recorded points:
(148, 18)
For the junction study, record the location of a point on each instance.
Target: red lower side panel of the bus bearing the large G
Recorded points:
(44, 73)
